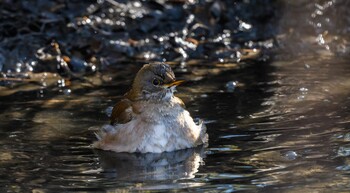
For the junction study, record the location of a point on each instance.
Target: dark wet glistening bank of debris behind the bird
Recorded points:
(103, 29)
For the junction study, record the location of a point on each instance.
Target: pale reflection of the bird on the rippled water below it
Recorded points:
(151, 166)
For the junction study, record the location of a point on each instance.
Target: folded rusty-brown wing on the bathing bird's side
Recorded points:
(122, 112)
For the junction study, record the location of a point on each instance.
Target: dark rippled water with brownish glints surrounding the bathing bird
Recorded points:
(279, 123)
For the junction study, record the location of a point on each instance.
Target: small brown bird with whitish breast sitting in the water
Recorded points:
(150, 118)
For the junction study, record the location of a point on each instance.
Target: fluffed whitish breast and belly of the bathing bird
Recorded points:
(161, 126)
